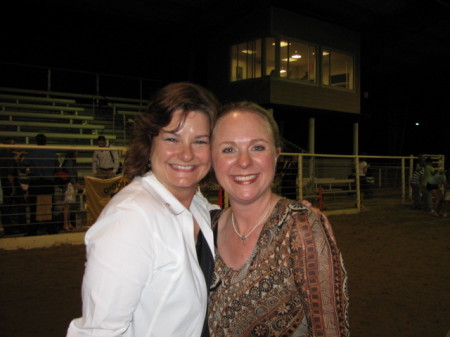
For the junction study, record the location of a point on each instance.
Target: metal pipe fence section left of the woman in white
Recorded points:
(34, 201)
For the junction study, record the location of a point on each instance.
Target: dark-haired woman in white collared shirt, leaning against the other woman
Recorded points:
(142, 274)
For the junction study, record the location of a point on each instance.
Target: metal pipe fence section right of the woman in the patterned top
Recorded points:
(333, 182)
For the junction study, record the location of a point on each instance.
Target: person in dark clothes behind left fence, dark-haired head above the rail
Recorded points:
(42, 164)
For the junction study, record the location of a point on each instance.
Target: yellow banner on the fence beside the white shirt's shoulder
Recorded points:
(98, 194)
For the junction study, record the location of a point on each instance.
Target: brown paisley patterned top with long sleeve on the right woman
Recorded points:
(293, 284)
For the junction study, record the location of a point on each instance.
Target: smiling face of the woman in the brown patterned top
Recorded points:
(244, 155)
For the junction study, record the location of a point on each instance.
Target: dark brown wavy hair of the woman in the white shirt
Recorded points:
(161, 108)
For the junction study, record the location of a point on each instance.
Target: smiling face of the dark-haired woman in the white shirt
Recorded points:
(180, 157)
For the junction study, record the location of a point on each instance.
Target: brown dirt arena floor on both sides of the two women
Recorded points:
(398, 262)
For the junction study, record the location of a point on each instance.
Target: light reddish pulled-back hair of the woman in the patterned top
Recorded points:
(256, 109)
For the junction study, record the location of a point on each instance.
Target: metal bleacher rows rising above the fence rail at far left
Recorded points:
(24, 113)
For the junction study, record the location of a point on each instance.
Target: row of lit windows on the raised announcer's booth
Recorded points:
(291, 59)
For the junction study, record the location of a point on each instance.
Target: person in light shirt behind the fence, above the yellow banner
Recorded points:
(105, 163)
